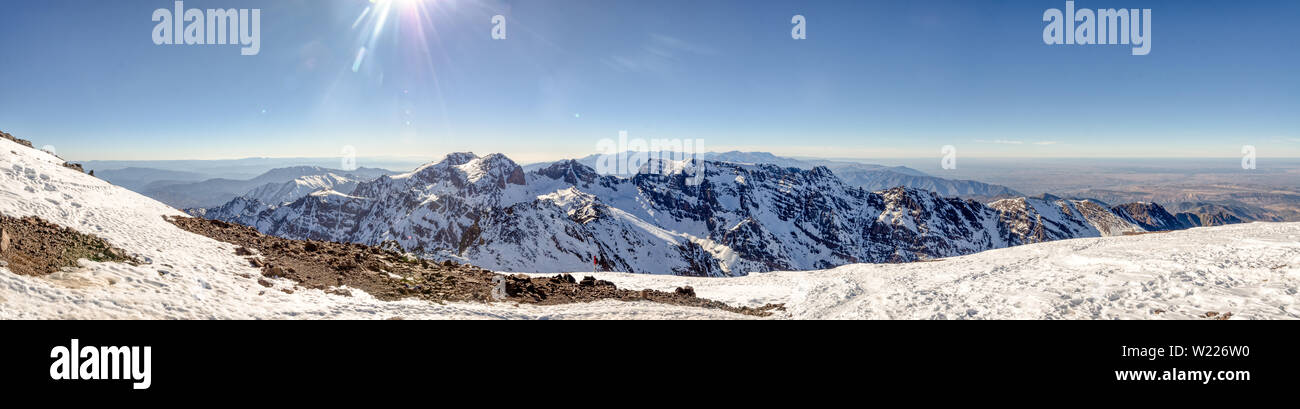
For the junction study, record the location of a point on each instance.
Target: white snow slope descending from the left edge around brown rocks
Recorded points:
(188, 276)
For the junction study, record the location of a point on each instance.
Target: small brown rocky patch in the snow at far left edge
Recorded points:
(34, 247)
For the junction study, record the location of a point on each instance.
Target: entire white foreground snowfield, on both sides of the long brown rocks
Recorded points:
(1251, 271)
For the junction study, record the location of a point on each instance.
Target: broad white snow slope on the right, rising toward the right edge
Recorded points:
(1250, 271)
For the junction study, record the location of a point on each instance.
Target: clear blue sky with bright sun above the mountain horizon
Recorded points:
(873, 80)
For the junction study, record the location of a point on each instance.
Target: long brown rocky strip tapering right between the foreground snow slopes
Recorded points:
(392, 276)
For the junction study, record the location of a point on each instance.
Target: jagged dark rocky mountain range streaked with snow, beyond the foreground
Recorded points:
(740, 219)
